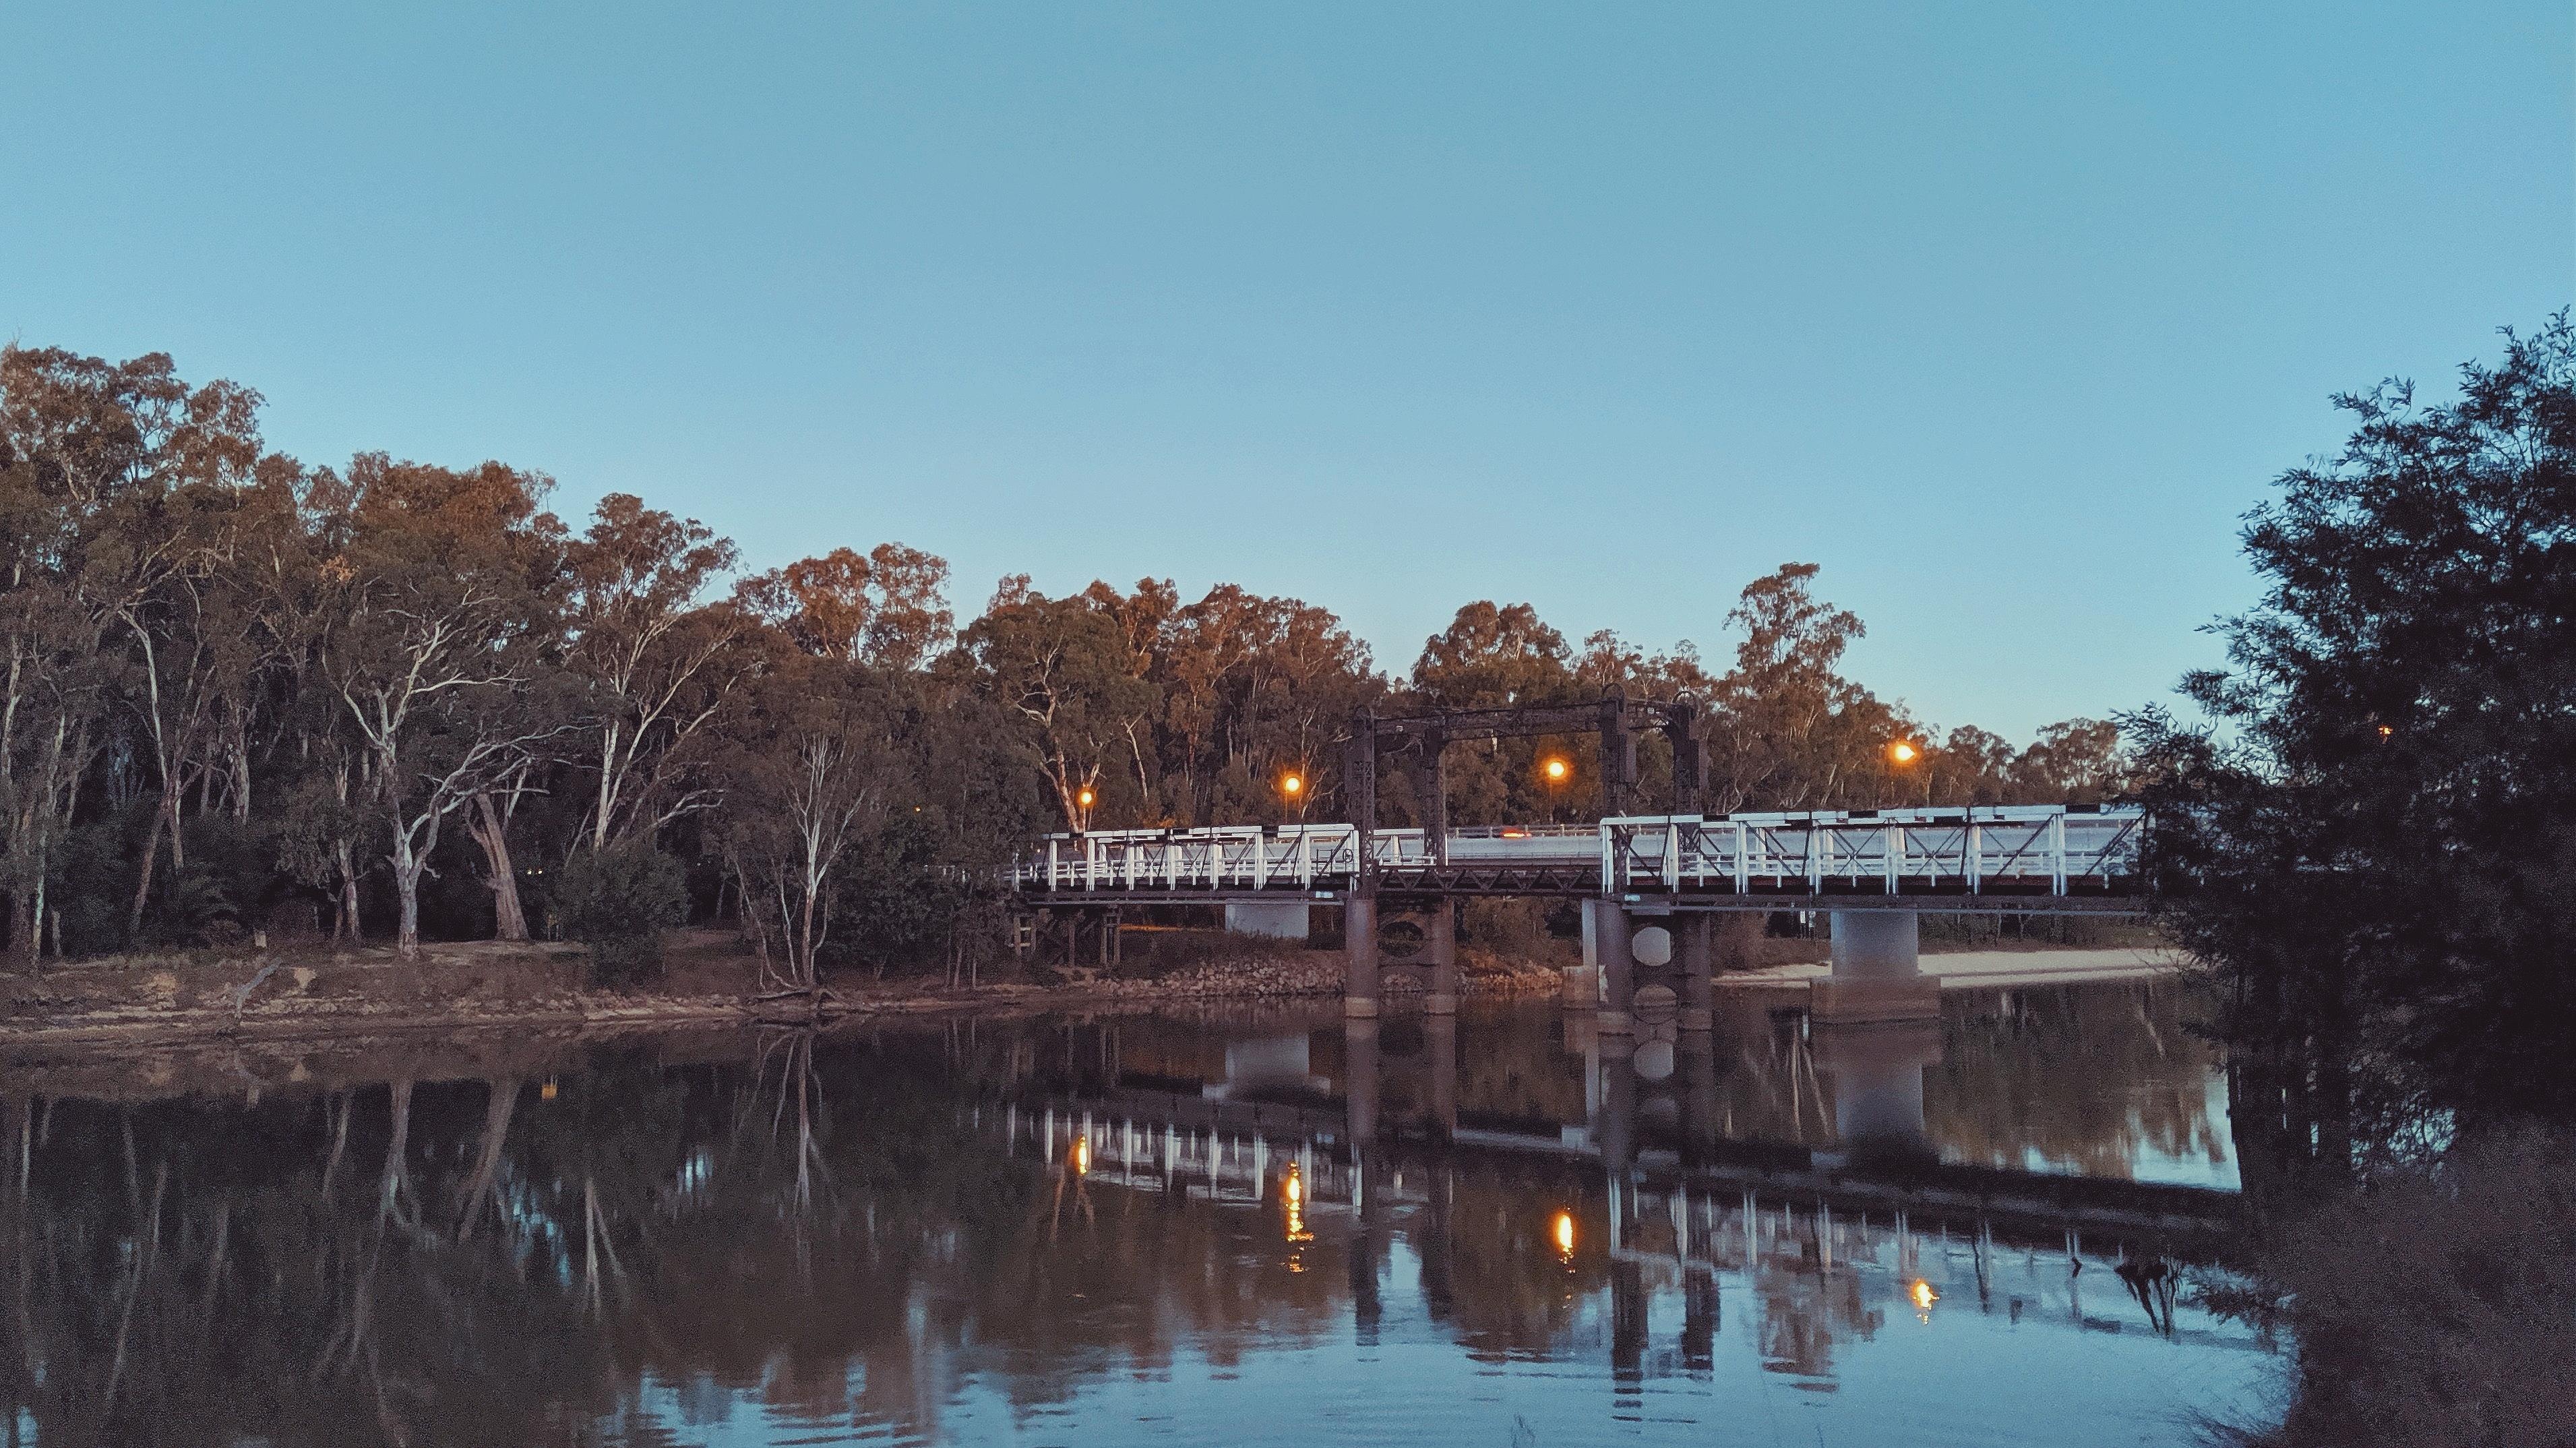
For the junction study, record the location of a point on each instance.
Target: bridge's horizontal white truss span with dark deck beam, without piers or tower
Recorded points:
(1987, 859)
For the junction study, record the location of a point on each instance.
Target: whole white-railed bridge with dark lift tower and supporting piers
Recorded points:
(1647, 882)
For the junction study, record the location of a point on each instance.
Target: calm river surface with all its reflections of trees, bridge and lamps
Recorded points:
(1233, 1228)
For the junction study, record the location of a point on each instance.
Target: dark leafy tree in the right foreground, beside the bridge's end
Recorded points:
(2376, 849)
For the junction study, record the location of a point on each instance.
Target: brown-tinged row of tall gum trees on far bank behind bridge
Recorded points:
(395, 700)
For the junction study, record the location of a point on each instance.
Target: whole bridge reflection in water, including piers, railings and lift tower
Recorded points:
(1645, 1189)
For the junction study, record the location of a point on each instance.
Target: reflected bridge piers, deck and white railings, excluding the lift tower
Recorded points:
(1650, 1163)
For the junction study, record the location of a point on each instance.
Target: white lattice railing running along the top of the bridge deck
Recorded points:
(1956, 852)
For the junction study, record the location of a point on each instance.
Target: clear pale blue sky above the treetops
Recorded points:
(1998, 313)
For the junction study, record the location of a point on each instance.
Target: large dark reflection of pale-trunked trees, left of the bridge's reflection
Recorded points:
(496, 1264)
